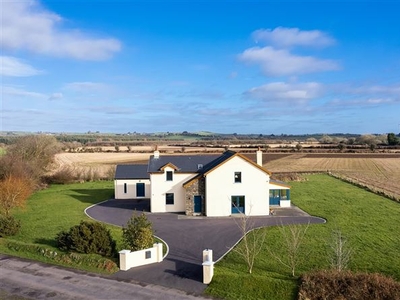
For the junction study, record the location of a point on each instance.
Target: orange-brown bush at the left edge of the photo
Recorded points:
(14, 192)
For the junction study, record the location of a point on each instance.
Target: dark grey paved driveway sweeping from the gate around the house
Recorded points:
(186, 237)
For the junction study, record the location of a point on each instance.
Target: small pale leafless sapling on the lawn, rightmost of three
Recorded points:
(340, 252)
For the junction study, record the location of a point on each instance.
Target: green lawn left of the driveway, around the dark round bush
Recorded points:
(52, 210)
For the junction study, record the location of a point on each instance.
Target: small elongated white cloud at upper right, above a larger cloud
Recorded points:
(287, 37)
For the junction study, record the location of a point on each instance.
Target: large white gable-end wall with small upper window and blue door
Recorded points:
(220, 186)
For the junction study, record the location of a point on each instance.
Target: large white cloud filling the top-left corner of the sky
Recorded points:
(27, 25)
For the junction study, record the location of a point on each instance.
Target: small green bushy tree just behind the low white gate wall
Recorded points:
(138, 233)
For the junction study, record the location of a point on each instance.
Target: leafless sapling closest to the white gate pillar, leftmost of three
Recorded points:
(251, 244)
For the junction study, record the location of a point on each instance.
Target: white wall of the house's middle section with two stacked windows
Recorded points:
(160, 186)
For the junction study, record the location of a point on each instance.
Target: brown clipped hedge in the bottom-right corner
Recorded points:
(347, 285)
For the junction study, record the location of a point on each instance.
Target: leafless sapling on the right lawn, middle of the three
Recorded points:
(293, 237)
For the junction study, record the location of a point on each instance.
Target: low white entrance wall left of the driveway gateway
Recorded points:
(129, 259)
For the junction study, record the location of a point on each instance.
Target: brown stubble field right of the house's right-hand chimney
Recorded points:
(380, 171)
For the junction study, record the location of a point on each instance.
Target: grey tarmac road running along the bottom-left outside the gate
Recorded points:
(23, 279)
